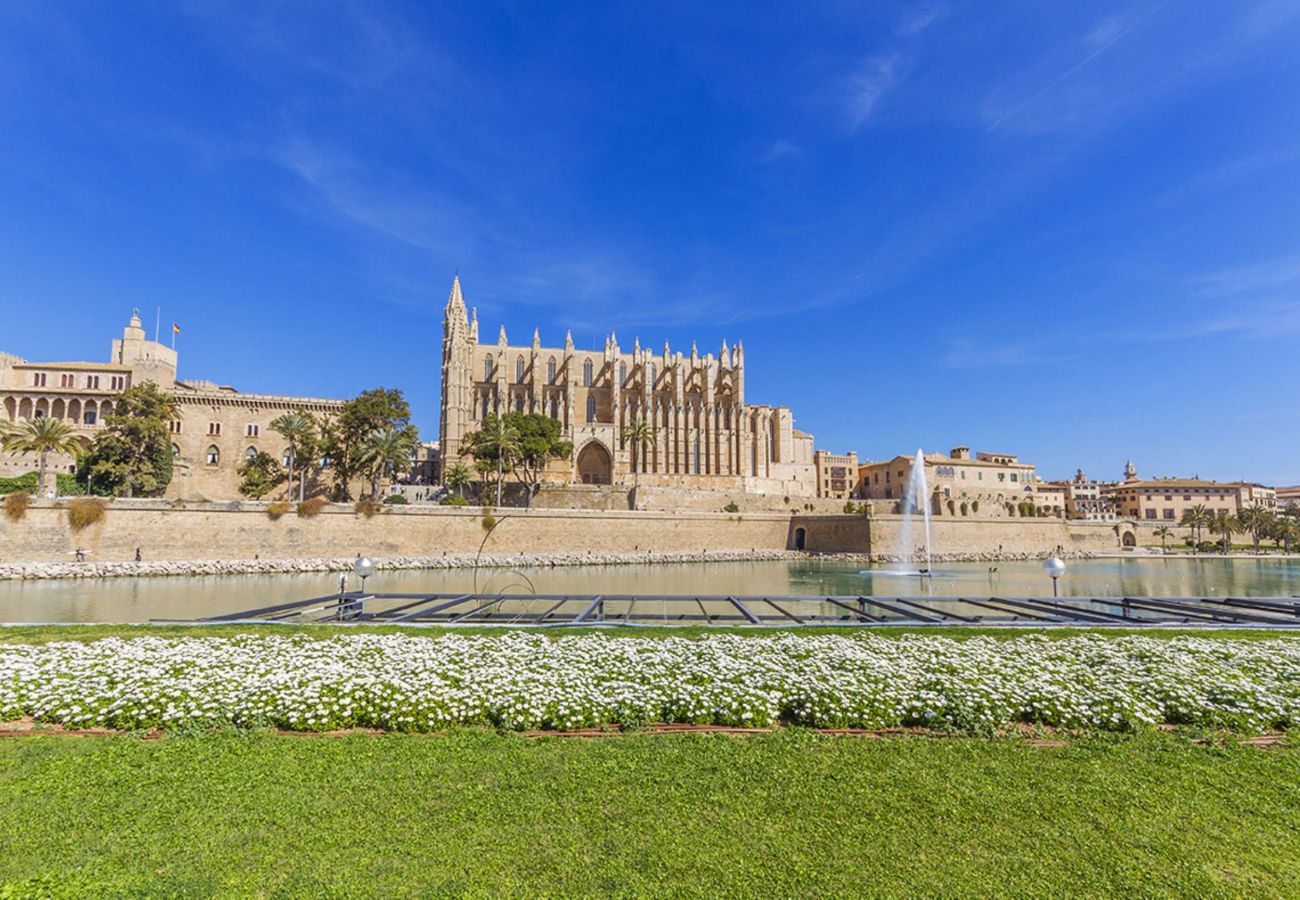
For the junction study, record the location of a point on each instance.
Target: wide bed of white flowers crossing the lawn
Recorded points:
(530, 682)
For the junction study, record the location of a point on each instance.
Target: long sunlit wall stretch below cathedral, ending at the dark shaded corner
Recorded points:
(245, 531)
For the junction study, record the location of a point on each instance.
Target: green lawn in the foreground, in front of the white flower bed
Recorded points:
(788, 814)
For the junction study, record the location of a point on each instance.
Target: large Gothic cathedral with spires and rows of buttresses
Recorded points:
(705, 434)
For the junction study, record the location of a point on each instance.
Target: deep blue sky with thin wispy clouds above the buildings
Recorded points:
(1065, 231)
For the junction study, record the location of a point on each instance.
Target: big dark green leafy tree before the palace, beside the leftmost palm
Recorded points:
(133, 455)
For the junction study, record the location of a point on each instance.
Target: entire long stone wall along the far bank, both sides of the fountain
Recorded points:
(166, 531)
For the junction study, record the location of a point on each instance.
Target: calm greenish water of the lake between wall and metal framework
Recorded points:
(141, 600)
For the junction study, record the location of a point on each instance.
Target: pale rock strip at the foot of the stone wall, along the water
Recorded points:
(31, 572)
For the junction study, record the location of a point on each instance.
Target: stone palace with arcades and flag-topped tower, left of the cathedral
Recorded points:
(219, 426)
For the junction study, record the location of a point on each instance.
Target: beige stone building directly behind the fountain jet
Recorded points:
(989, 486)
